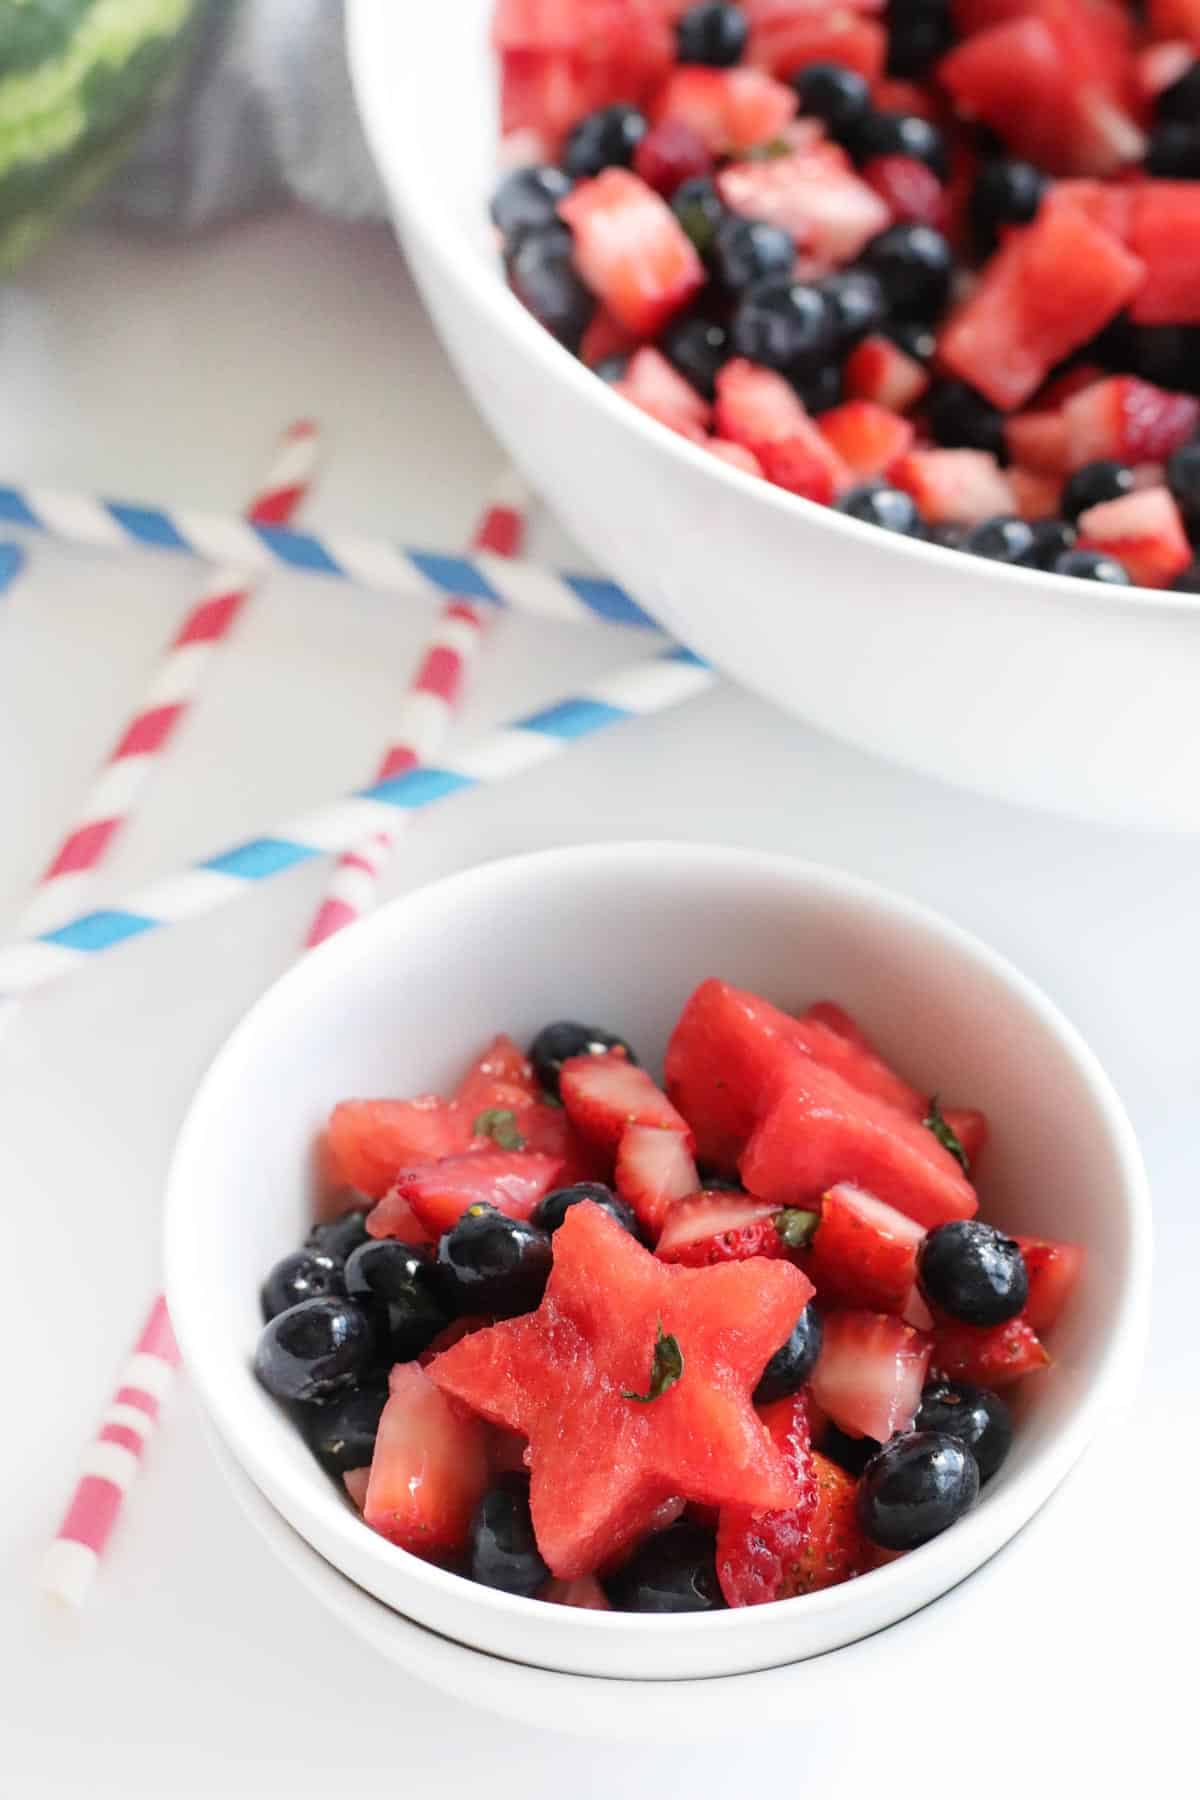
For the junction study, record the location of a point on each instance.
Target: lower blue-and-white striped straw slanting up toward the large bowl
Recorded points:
(640, 690)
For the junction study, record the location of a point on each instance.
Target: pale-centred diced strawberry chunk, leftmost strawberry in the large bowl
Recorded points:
(631, 249)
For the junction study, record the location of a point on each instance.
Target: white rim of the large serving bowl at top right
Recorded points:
(373, 76)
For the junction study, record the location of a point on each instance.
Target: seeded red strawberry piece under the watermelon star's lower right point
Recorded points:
(757, 1551)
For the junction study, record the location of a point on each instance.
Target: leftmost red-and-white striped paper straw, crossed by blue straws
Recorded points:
(118, 787)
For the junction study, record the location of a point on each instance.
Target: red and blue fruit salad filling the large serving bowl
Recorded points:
(935, 264)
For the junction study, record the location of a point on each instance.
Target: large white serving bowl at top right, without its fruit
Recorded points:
(1043, 690)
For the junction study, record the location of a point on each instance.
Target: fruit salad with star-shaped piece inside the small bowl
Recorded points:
(670, 1347)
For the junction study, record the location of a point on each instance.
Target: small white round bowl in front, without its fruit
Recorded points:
(622, 933)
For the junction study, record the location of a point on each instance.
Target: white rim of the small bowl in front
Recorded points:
(337, 960)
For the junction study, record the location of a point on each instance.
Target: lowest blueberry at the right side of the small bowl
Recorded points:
(915, 1489)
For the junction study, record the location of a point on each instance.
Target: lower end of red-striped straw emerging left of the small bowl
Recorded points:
(112, 1461)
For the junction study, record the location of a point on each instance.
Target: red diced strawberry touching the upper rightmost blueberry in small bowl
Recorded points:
(864, 1254)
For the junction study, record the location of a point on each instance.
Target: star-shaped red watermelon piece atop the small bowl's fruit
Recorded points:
(575, 1378)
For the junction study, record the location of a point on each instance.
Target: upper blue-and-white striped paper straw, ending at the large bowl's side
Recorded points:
(368, 562)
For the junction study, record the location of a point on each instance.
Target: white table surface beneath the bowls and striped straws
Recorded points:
(163, 373)
